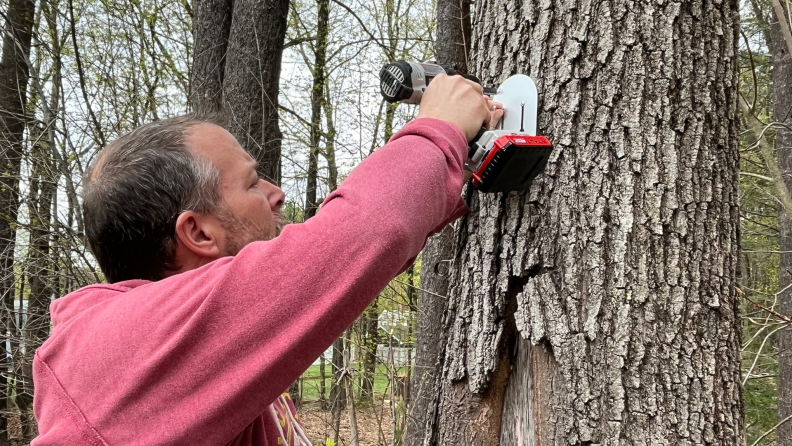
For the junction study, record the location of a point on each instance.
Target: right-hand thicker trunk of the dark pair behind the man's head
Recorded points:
(251, 80)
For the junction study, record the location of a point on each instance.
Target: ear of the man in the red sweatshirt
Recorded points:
(199, 234)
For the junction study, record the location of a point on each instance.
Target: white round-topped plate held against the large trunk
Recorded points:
(513, 93)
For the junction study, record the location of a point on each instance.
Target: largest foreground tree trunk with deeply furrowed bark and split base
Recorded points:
(607, 292)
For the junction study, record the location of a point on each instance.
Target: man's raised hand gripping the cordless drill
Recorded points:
(458, 101)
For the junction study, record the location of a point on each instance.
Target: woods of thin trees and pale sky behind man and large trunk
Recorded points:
(79, 73)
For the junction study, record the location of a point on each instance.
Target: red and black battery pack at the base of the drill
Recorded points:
(513, 162)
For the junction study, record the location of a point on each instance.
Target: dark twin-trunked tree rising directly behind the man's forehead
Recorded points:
(237, 60)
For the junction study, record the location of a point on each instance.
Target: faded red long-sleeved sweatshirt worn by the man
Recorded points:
(199, 358)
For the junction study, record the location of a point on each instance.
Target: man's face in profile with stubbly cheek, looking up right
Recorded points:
(251, 208)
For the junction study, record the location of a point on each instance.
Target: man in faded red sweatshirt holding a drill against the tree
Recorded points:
(208, 316)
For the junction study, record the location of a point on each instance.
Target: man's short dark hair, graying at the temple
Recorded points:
(135, 191)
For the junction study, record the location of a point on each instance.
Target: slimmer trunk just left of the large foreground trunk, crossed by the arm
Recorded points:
(452, 45)
